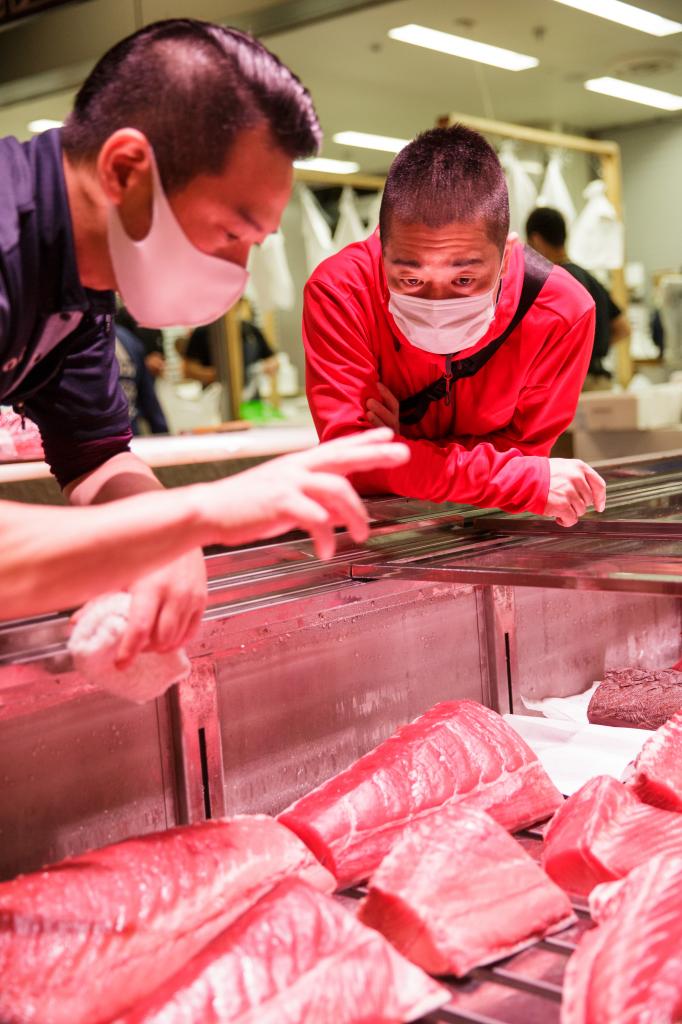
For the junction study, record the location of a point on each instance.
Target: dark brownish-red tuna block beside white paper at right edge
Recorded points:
(636, 698)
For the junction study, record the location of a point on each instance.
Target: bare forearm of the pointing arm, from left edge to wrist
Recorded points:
(59, 559)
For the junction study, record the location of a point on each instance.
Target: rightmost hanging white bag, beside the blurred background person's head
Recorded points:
(598, 239)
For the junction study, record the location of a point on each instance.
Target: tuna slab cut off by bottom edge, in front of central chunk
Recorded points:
(295, 958)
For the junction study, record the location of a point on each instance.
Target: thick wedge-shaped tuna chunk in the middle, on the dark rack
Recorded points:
(457, 891)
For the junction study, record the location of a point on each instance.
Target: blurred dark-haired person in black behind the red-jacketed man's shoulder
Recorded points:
(546, 232)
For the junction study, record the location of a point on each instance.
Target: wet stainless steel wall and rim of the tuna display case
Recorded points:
(302, 666)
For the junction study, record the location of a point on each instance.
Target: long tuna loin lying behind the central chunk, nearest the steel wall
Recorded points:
(457, 752)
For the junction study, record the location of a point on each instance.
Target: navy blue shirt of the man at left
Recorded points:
(58, 361)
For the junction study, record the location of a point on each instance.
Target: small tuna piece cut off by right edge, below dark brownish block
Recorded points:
(658, 776)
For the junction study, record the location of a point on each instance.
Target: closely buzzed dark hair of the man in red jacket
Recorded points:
(444, 177)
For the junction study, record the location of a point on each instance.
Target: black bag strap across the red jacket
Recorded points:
(536, 273)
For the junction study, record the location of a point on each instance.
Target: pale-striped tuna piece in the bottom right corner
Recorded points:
(629, 969)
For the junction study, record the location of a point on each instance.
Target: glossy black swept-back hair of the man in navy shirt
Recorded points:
(191, 87)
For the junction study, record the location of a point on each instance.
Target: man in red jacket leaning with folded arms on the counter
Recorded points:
(468, 345)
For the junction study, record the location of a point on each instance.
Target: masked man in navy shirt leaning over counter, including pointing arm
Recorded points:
(177, 159)
